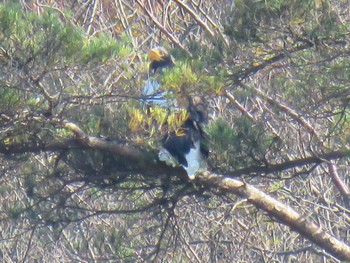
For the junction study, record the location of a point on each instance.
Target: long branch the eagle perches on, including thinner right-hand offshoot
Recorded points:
(273, 207)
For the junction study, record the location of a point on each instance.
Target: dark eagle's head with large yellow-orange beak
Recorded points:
(160, 58)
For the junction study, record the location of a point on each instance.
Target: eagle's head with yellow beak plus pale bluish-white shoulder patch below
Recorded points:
(160, 59)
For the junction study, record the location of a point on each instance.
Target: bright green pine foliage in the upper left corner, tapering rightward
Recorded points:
(33, 39)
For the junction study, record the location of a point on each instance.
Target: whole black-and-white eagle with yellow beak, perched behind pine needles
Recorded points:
(187, 147)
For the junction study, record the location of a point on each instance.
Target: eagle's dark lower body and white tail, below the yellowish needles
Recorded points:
(189, 148)
